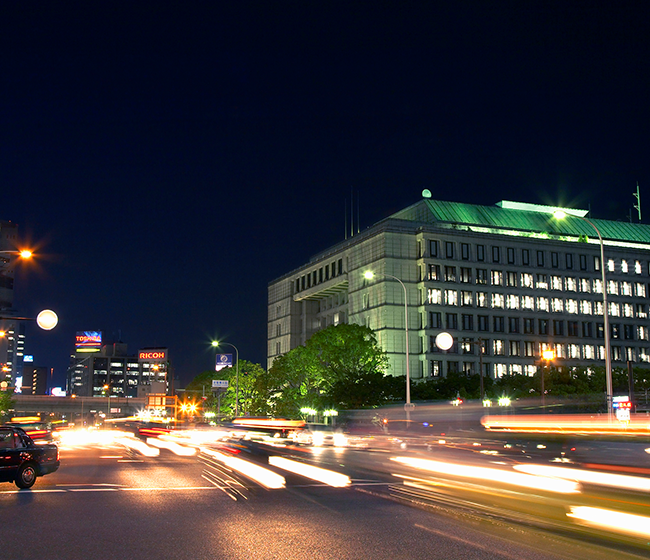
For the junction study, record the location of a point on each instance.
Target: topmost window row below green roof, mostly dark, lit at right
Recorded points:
(525, 257)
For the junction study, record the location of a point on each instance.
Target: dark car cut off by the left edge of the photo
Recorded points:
(21, 460)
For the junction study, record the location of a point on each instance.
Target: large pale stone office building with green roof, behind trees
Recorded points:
(513, 278)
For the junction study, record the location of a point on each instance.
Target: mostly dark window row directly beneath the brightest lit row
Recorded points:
(528, 325)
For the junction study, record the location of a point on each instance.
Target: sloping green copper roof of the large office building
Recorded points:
(430, 211)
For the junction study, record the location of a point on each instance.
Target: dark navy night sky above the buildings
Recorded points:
(168, 159)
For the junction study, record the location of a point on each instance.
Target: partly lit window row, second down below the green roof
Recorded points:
(511, 279)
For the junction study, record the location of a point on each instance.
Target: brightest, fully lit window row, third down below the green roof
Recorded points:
(462, 298)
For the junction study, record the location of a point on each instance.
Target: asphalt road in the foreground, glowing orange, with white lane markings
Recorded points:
(110, 502)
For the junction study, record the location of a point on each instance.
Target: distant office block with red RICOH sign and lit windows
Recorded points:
(110, 366)
